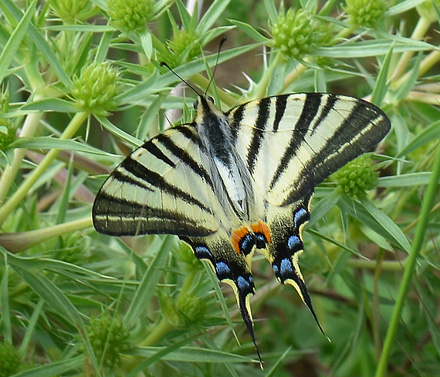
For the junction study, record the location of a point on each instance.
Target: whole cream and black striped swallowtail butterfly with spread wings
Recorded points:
(232, 183)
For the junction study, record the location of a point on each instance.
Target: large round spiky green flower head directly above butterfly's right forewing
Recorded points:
(299, 32)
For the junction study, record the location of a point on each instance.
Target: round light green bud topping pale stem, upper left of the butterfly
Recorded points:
(96, 87)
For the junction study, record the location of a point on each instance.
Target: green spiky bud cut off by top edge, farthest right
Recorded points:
(366, 13)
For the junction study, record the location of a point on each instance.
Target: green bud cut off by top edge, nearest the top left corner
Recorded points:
(71, 11)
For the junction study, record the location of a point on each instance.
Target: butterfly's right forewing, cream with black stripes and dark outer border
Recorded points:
(303, 138)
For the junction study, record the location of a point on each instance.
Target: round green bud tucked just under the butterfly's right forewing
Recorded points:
(357, 176)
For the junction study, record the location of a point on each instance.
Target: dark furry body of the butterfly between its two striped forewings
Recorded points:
(234, 183)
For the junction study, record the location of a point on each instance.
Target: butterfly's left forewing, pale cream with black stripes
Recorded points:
(162, 187)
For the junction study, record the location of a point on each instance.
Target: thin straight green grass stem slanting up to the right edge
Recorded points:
(419, 237)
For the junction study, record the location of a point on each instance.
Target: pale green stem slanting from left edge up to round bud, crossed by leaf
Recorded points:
(21, 192)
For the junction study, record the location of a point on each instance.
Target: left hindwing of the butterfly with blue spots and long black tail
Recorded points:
(231, 268)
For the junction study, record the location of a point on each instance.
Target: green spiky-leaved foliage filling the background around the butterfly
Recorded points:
(74, 302)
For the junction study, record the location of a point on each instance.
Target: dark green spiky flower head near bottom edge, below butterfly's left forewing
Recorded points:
(108, 338)
